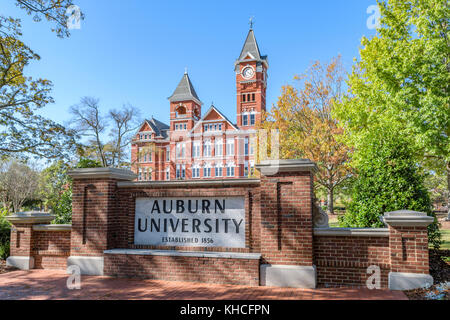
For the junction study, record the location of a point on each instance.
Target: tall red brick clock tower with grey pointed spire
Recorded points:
(251, 83)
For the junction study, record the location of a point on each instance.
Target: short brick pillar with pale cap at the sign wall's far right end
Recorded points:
(408, 245)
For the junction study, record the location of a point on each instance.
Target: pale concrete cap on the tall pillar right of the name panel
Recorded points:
(272, 167)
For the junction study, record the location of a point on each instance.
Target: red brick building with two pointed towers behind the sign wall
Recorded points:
(209, 146)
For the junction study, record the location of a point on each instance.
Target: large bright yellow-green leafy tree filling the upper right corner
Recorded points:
(401, 81)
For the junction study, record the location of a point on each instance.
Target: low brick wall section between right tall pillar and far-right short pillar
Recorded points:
(343, 260)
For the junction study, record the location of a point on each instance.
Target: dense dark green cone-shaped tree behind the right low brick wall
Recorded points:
(388, 180)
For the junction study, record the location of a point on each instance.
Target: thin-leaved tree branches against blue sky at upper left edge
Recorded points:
(22, 129)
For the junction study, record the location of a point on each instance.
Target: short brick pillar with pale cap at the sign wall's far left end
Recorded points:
(21, 252)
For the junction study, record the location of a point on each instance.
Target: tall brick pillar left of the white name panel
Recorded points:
(93, 213)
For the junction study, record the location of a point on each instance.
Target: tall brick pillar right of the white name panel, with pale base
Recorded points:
(287, 223)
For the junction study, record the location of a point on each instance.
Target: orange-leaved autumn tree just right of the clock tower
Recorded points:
(306, 127)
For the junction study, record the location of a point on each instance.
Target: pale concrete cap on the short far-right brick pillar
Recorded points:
(407, 218)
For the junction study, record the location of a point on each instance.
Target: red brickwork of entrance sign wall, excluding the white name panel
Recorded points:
(279, 231)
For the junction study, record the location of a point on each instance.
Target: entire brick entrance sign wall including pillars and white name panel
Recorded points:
(239, 231)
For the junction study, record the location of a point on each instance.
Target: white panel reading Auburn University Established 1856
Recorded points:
(191, 222)
